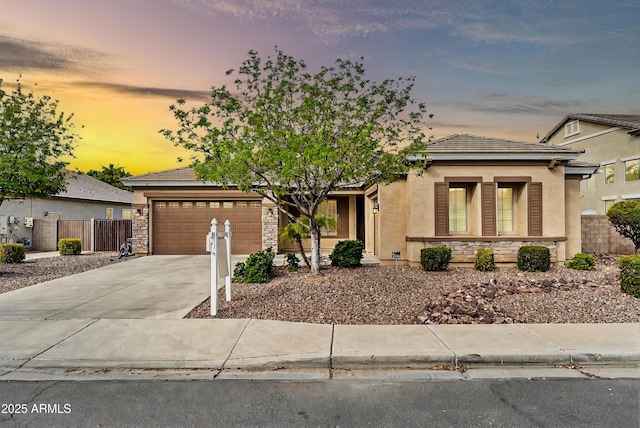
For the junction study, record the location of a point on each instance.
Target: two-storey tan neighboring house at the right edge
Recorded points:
(611, 141)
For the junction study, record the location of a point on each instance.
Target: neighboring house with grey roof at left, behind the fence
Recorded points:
(84, 198)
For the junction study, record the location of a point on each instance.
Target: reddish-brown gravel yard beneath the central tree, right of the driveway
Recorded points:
(409, 295)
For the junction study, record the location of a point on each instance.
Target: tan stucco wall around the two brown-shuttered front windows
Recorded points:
(407, 207)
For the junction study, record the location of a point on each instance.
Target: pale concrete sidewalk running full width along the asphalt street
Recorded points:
(35, 347)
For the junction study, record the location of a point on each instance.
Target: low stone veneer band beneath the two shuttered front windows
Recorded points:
(503, 251)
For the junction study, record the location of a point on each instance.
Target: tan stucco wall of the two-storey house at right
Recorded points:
(602, 149)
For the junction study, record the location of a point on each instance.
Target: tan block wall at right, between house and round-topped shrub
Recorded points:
(600, 237)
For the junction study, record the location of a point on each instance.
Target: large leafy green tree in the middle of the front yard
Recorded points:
(293, 136)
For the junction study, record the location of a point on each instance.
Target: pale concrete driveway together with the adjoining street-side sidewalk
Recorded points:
(128, 316)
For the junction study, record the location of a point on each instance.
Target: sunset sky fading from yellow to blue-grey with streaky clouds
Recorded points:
(505, 69)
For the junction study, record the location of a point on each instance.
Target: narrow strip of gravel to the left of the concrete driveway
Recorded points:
(30, 272)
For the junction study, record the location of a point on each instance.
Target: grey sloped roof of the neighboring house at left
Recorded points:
(82, 186)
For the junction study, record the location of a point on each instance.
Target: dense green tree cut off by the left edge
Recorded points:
(34, 138)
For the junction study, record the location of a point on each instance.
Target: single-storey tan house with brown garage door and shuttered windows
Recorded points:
(473, 192)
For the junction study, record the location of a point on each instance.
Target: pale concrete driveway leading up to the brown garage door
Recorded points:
(145, 287)
